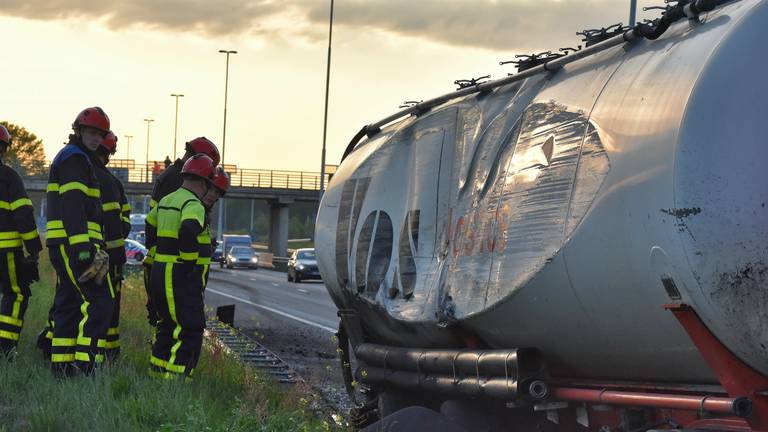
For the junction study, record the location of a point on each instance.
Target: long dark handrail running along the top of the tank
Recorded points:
(683, 9)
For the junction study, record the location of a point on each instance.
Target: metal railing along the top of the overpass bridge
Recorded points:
(131, 172)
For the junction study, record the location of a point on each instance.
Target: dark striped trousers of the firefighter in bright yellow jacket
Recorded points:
(177, 295)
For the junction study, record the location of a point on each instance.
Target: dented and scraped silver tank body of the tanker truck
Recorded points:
(563, 211)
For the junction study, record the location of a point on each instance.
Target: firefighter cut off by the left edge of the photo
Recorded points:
(17, 231)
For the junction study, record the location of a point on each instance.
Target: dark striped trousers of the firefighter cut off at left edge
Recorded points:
(14, 298)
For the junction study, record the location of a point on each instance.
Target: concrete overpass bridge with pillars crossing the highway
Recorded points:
(278, 189)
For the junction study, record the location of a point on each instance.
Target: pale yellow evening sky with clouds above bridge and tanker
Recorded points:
(128, 56)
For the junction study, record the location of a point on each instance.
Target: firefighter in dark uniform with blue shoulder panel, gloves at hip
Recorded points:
(84, 299)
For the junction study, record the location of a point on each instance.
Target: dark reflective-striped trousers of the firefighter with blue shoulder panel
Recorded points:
(82, 313)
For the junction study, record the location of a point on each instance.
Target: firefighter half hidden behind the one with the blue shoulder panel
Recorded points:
(116, 227)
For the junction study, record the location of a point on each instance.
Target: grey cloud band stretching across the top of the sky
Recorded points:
(490, 24)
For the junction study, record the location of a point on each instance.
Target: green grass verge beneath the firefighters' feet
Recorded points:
(224, 396)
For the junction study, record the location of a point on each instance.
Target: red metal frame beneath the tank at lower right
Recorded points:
(741, 384)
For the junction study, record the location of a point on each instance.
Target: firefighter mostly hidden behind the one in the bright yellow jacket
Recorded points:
(169, 181)
